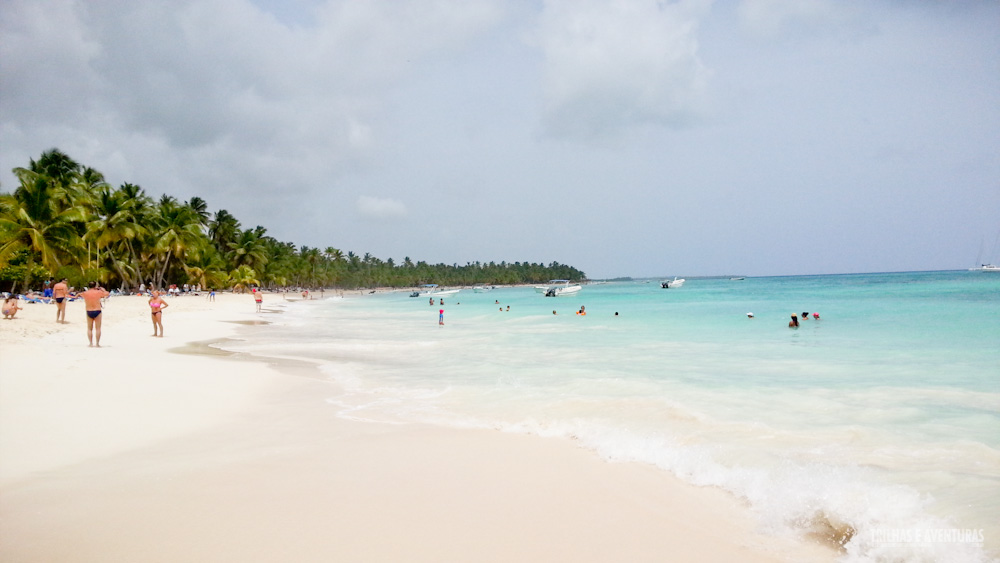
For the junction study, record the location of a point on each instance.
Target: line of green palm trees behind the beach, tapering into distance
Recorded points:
(65, 221)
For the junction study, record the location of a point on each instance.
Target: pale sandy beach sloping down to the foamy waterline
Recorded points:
(131, 452)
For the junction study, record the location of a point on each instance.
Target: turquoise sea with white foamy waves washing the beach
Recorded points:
(876, 425)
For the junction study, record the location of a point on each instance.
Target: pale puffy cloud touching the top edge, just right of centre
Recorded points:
(611, 65)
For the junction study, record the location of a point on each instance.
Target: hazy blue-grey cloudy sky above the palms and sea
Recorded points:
(623, 137)
